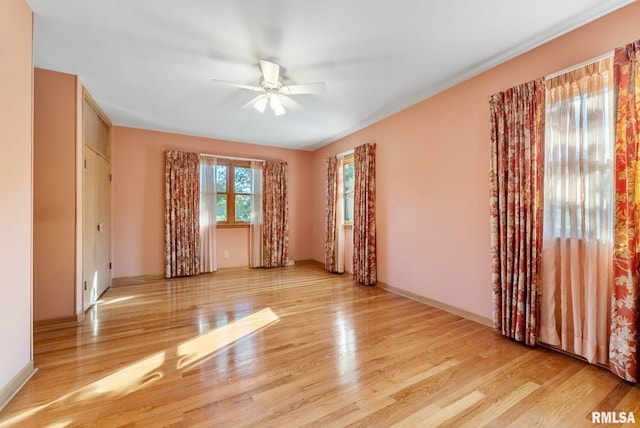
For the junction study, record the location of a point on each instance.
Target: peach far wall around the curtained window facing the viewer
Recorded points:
(138, 198)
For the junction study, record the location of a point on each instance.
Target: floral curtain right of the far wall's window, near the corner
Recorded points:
(275, 234)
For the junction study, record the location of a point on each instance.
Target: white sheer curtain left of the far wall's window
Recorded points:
(208, 261)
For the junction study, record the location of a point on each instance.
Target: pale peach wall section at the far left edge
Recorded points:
(16, 140)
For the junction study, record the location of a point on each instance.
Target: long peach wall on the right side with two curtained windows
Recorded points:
(433, 172)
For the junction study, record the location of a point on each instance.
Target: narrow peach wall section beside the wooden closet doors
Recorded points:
(54, 207)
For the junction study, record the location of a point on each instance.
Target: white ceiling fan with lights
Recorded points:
(273, 90)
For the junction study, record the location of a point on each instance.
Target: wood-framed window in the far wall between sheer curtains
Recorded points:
(233, 193)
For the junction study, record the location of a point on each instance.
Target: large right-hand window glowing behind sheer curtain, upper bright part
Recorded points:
(579, 150)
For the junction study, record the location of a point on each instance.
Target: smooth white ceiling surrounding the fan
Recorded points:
(149, 63)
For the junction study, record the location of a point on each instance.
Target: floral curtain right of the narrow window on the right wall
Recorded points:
(364, 215)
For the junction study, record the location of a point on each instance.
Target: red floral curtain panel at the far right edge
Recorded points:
(623, 348)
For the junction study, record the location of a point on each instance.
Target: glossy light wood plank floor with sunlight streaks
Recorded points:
(210, 352)
